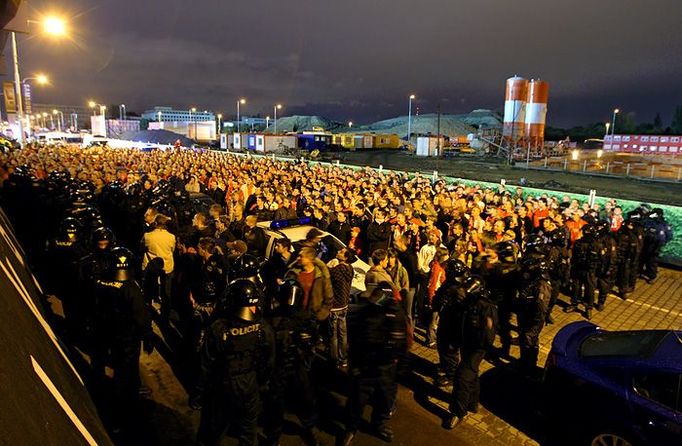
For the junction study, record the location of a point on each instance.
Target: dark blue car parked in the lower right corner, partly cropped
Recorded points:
(615, 388)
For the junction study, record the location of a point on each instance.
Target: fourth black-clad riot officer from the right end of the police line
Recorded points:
(584, 265)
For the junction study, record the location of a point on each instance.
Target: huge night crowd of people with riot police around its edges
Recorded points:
(117, 236)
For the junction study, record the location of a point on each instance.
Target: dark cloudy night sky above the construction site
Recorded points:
(360, 59)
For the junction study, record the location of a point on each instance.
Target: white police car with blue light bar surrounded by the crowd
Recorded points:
(296, 231)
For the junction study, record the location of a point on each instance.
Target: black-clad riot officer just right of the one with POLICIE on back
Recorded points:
(295, 334)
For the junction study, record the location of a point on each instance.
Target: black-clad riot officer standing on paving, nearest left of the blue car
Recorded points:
(478, 324)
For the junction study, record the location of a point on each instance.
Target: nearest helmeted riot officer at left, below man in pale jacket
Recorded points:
(122, 321)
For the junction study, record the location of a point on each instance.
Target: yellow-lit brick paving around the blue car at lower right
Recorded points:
(655, 306)
